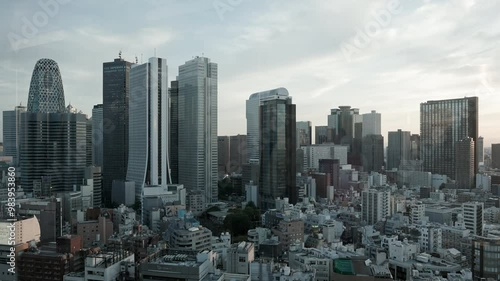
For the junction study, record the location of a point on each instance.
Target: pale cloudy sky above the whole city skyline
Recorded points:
(387, 56)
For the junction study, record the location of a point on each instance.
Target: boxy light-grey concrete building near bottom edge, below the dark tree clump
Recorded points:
(240, 256)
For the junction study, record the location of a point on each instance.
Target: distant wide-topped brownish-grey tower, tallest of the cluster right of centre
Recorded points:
(342, 121)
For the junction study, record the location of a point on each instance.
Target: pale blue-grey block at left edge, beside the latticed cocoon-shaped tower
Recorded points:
(11, 122)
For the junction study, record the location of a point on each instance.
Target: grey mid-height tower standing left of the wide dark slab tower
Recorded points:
(398, 148)
